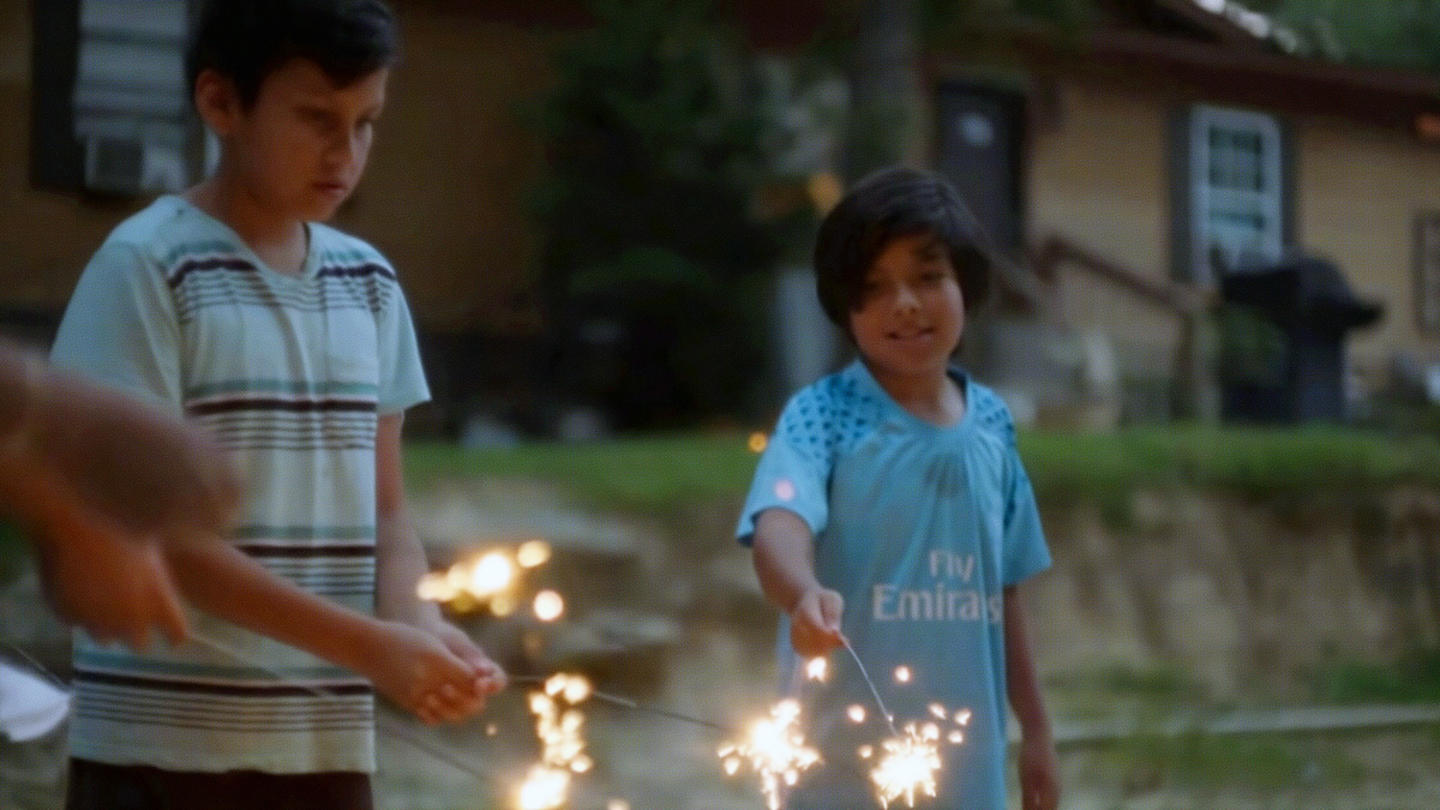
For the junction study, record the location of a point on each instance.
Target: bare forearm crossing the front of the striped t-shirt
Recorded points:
(221, 580)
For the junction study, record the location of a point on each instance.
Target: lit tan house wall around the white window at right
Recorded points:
(1101, 172)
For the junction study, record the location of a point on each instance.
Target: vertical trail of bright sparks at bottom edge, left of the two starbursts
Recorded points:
(559, 726)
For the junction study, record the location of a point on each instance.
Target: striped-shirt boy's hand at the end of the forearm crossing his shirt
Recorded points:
(418, 671)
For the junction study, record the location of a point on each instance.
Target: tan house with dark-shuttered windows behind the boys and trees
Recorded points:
(1122, 165)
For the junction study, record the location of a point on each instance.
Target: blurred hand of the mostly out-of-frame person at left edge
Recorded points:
(113, 586)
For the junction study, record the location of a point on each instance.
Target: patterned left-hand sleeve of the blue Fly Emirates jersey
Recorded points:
(794, 473)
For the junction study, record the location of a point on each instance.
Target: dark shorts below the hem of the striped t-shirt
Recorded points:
(97, 786)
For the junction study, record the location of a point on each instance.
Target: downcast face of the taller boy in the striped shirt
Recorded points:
(302, 148)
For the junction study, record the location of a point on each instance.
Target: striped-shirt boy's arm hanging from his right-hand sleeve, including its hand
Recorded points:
(400, 567)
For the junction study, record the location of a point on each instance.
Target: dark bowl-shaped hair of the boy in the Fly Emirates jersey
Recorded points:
(883, 207)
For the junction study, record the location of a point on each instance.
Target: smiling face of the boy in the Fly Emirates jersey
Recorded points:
(911, 309)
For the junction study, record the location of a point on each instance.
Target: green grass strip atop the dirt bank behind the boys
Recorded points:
(667, 471)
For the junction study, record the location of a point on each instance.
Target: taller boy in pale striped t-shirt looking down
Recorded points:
(292, 344)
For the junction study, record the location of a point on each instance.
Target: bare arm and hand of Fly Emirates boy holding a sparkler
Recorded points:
(786, 564)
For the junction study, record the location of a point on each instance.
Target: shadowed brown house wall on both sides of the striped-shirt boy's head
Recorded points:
(444, 197)
